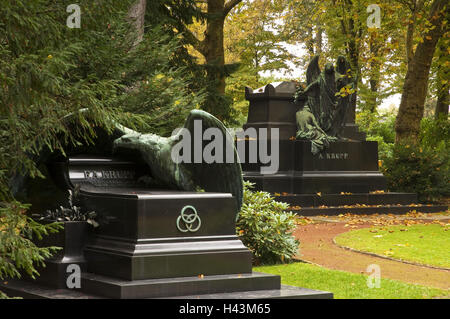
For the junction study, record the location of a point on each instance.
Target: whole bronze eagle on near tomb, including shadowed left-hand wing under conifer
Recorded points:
(156, 151)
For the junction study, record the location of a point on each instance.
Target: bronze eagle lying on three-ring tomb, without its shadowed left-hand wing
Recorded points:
(225, 177)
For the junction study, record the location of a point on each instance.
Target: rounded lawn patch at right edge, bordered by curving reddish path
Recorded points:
(424, 244)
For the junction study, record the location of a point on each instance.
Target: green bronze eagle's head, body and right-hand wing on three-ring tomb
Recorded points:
(194, 171)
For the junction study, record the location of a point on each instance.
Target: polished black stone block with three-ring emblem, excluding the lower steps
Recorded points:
(142, 234)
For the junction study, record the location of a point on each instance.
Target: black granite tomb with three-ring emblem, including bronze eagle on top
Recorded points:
(165, 229)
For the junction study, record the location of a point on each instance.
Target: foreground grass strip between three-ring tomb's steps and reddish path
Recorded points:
(347, 285)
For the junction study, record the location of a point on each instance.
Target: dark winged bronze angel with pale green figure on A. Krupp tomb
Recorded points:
(326, 100)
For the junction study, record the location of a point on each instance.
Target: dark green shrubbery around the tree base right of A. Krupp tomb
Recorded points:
(422, 168)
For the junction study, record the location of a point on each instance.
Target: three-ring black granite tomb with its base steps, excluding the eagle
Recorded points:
(151, 243)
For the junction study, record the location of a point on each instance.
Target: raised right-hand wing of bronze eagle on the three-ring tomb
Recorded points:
(222, 175)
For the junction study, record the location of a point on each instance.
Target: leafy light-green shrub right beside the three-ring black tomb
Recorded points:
(266, 228)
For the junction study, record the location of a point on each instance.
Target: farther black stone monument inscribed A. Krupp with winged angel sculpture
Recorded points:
(326, 166)
